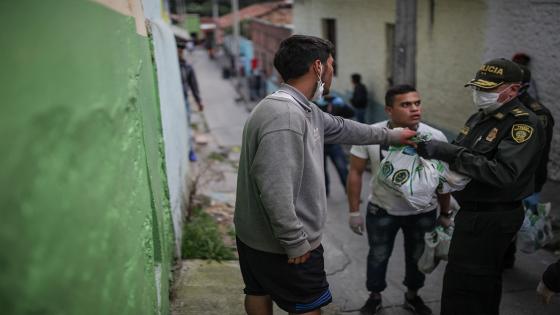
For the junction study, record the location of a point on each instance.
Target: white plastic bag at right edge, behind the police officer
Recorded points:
(536, 230)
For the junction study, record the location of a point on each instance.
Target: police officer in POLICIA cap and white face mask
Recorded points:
(499, 148)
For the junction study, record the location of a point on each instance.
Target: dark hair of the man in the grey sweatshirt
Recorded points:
(298, 52)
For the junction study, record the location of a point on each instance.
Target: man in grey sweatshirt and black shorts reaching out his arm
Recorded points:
(280, 210)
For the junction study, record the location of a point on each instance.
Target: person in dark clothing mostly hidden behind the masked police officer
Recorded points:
(541, 175)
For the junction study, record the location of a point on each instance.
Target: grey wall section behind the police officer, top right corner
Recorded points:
(532, 27)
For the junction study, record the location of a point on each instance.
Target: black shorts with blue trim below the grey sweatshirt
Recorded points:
(294, 288)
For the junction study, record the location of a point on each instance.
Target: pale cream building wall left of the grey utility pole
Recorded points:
(360, 37)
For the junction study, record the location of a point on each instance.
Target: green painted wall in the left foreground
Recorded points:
(85, 216)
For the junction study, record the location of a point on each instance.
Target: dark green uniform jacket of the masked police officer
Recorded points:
(502, 155)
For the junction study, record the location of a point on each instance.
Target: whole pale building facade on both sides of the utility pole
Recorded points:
(453, 38)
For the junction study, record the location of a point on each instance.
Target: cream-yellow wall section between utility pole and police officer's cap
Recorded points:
(450, 45)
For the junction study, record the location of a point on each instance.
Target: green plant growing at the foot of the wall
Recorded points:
(202, 239)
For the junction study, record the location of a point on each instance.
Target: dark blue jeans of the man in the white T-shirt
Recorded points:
(382, 229)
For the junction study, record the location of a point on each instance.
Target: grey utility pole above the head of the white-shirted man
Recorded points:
(404, 59)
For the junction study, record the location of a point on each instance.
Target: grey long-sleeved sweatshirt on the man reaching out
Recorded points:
(281, 203)
